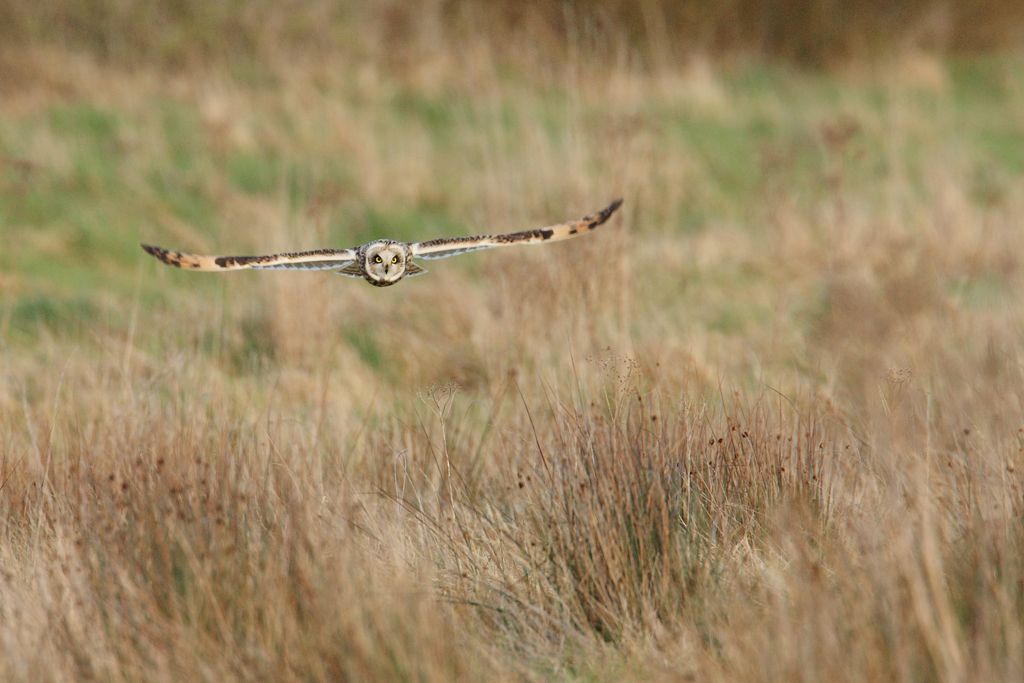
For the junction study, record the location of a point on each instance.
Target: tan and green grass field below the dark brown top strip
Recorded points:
(765, 425)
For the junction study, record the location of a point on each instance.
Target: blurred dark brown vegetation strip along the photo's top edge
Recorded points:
(808, 32)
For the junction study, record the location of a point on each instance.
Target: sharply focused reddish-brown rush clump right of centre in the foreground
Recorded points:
(621, 522)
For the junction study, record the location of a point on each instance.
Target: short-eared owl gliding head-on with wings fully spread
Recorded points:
(382, 263)
